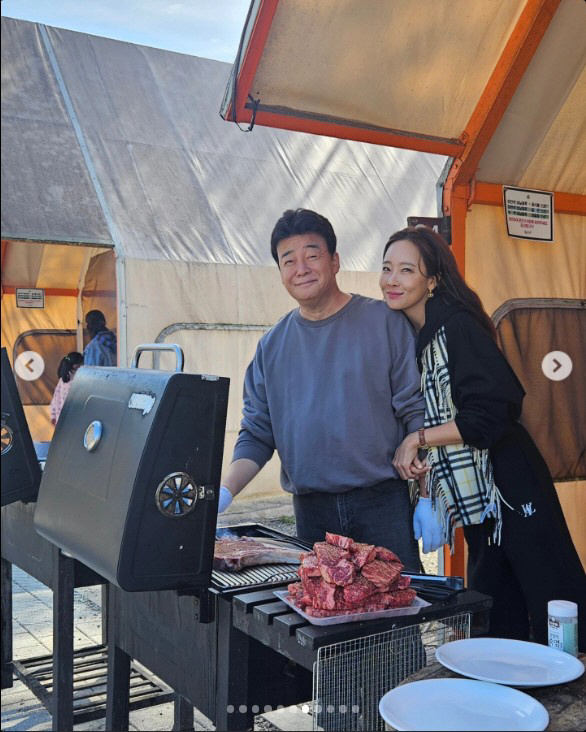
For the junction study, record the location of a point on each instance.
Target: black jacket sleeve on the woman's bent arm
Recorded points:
(485, 389)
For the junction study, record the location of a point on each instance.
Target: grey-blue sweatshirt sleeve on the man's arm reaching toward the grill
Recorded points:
(255, 439)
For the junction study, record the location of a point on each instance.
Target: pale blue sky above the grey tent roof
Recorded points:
(207, 28)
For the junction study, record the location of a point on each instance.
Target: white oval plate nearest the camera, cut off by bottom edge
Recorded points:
(461, 704)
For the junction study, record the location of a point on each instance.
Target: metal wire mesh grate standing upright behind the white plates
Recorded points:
(351, 677)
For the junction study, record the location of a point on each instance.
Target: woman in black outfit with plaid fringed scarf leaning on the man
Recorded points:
(485, 473)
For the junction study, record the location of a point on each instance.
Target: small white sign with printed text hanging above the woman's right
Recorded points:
(529, 213)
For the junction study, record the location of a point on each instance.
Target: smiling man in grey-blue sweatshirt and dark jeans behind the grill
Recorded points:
(334, 388)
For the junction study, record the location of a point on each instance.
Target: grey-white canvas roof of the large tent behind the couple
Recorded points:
(178, 184)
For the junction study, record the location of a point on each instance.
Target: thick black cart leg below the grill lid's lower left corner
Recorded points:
(62, 697)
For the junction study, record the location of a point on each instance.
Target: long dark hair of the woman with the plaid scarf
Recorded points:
(439, 262)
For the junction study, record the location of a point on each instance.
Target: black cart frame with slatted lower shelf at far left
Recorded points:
(65, 670)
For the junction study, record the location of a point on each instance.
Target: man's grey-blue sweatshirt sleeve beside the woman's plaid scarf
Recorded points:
(408, 401)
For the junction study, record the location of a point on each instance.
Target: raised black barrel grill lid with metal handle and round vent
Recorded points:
(130, 486)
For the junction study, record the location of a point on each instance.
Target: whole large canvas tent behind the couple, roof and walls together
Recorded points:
(120, 150)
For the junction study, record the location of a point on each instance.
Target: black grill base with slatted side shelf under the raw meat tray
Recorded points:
(214, 665)
